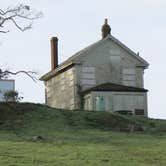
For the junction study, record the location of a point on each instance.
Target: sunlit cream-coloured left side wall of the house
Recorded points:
(60, 90)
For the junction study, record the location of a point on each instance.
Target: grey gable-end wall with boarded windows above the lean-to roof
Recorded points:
(108, 61)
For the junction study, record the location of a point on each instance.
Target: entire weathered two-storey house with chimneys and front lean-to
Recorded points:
(105, 76)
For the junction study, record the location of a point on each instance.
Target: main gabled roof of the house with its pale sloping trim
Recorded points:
(73, 59)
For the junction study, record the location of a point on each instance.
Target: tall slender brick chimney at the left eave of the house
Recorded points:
(54, 53)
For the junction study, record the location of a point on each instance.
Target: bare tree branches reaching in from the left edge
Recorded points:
(22, 17)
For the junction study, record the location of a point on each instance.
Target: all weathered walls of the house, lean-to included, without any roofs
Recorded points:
(99, 64)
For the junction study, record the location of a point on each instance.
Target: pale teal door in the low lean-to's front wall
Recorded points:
(99, 103)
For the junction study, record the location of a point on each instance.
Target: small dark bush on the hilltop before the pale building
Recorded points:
(12, 96)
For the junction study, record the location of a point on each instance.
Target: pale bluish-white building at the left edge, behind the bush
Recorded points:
(6, 85)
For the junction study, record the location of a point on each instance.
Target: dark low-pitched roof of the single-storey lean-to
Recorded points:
(114, 87)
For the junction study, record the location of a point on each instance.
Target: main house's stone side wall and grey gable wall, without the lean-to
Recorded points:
(107, 62)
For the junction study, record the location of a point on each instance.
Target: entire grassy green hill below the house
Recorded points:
(37, 135)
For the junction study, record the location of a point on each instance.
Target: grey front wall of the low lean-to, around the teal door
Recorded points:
(115, 101)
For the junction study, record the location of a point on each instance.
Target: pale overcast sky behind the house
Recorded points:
(139, 24)
